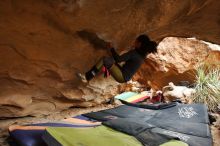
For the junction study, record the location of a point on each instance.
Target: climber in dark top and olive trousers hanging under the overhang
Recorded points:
(132, 61)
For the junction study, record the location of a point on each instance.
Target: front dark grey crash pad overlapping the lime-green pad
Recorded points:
(151, 133)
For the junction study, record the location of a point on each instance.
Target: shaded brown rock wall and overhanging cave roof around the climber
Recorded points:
(44, 43)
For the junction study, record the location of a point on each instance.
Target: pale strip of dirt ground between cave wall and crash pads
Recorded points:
(4, 124)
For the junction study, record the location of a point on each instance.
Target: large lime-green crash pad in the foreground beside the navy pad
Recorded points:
(97, 136)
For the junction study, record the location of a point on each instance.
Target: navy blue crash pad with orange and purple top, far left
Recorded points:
(31, 135)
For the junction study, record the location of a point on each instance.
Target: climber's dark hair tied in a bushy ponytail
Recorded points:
(147, 46)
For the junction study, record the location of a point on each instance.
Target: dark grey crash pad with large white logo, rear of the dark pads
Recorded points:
(181, 112)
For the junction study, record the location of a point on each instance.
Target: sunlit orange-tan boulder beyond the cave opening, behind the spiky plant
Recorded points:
(176, 61)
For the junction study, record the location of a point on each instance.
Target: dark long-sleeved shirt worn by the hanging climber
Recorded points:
(132, 59)
